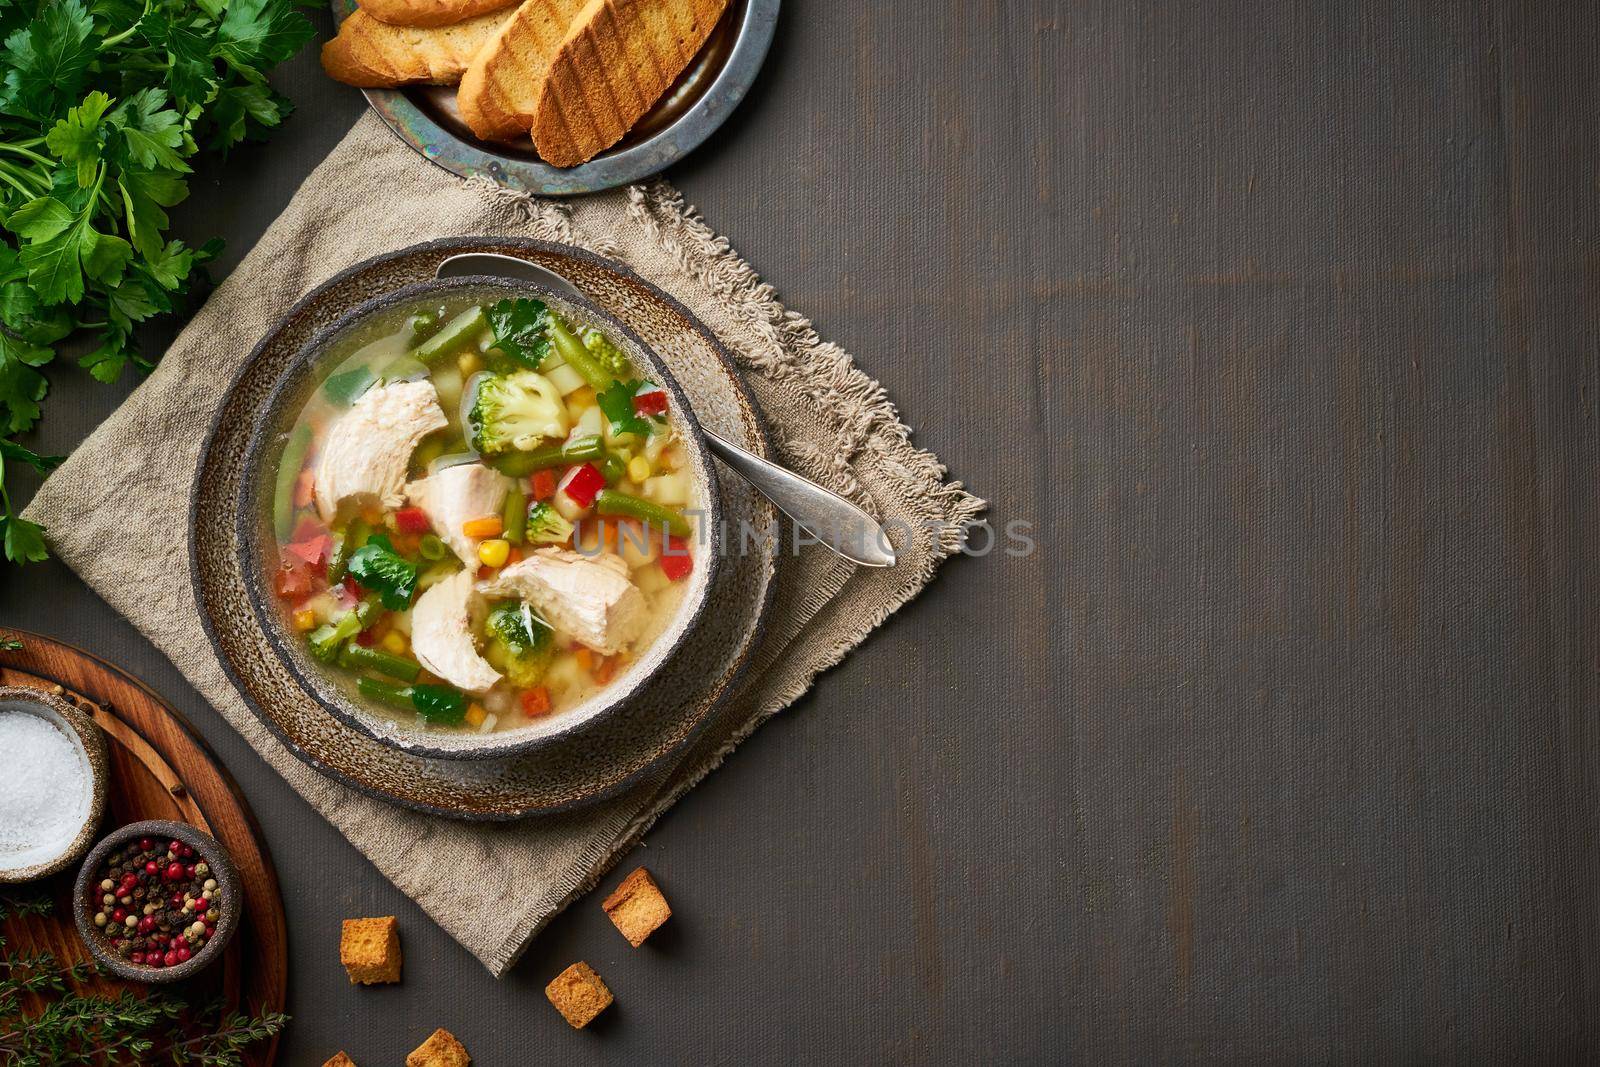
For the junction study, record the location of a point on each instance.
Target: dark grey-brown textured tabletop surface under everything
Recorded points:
(1281, 322)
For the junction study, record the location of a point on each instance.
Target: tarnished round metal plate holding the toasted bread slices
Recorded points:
(690, 111)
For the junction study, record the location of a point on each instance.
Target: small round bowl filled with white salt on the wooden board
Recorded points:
(54, 789)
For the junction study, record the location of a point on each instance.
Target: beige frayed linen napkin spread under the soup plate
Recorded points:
(826, 418)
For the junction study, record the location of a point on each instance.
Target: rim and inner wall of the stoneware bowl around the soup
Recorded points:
(306, 374)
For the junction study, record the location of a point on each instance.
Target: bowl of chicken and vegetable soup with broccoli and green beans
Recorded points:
(479, 514)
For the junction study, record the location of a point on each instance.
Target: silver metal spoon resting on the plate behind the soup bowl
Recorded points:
(822, 513)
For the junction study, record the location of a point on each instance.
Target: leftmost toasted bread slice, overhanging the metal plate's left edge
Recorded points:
(377, 55)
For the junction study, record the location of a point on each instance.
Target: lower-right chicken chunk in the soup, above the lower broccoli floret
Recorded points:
(590, 599)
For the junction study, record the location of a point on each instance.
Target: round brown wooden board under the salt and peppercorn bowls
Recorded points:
(159, 770)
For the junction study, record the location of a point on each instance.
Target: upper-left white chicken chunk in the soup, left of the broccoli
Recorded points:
(367, 449)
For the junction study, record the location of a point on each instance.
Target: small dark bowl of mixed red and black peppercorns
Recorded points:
(158, 901)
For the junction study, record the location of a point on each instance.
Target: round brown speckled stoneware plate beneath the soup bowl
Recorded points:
(593, 762)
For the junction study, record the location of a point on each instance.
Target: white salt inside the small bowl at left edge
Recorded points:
(46, 793)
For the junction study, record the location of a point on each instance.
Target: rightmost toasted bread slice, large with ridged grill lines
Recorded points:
(617, 62)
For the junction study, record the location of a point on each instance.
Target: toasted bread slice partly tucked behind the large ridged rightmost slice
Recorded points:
(502, 84)
